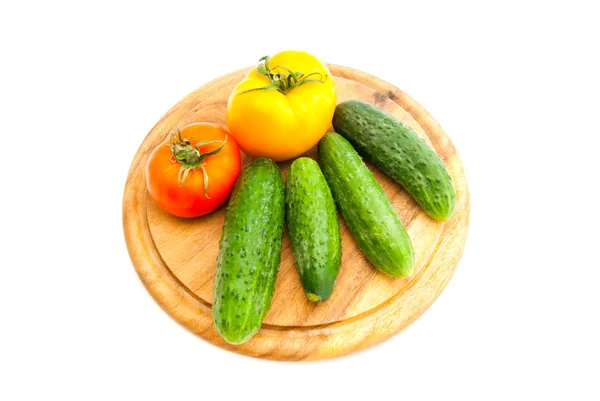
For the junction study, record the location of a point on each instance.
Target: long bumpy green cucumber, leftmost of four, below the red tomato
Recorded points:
(249, 251)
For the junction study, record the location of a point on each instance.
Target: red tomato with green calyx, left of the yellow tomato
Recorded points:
(177, 169)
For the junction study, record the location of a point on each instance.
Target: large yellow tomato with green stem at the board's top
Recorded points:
(283, 107)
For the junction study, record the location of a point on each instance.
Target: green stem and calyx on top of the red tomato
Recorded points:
(190, 157)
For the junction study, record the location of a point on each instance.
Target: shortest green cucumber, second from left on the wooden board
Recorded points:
(313, 227)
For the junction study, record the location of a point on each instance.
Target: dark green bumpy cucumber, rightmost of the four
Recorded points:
(399, 152)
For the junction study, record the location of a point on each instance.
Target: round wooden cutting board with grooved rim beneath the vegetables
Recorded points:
(176, 258)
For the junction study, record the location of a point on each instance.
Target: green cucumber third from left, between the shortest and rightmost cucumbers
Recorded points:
(366, 209)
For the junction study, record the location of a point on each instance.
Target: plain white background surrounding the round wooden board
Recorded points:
(515, 85)
